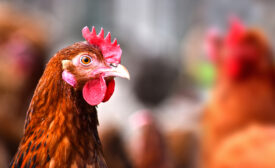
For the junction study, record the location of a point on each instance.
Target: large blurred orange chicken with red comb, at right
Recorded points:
(244, 91)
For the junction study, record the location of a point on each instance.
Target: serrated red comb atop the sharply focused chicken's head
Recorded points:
(111, 50)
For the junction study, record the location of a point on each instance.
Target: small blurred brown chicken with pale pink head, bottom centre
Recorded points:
(148, 148)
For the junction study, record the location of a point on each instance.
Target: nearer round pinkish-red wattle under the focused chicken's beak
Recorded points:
(94, 91)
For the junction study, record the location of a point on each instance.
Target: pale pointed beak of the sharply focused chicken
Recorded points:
(115, 70)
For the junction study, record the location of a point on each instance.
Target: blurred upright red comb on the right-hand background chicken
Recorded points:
(236, 31)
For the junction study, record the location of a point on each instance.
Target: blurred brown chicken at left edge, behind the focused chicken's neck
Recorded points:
(22, 56)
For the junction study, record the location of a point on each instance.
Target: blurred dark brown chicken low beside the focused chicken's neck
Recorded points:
(114, 148)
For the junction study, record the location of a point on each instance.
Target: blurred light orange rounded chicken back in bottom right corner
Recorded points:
(253, 147)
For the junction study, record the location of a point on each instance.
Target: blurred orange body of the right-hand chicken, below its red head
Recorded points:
(235, 108)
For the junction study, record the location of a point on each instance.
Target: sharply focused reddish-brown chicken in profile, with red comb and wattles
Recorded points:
(61, 122)
